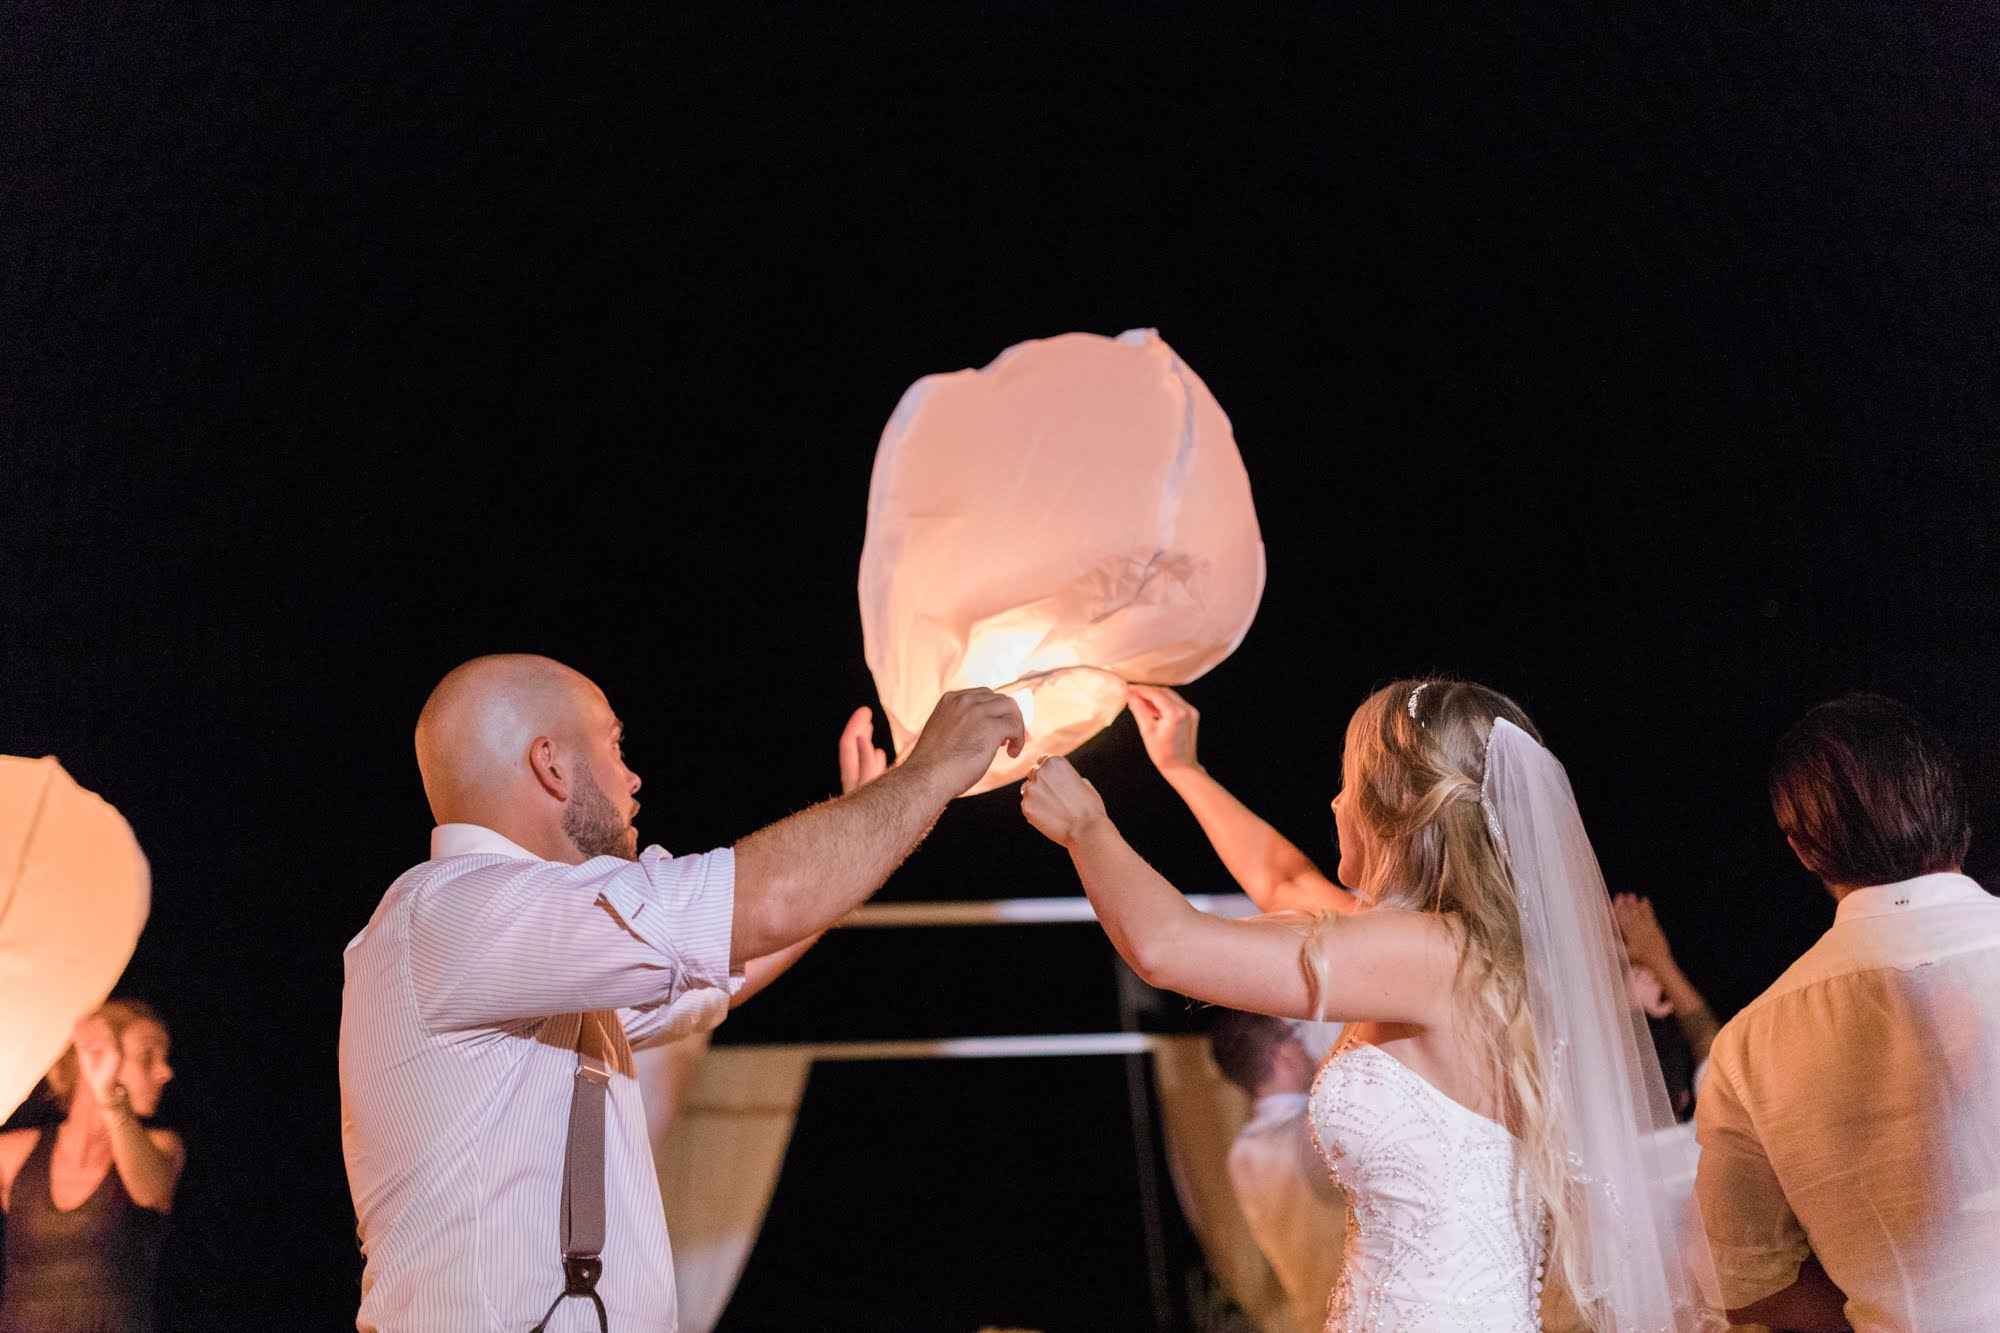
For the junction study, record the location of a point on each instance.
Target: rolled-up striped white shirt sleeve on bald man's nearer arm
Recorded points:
(525, 940)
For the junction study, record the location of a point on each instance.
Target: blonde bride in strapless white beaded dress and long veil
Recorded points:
(1491, 1102)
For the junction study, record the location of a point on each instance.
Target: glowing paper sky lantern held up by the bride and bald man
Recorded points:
(1063, 521)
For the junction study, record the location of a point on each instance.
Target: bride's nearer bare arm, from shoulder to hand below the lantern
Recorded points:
(1383, 966)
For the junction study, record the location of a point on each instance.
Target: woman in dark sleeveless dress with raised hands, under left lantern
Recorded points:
(87, 1200)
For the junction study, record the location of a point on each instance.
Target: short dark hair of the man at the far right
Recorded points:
(1871, 794)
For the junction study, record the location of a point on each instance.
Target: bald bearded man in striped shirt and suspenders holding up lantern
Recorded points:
(527, 960)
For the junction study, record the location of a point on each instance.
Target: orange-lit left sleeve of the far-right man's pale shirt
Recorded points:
(1753, 1234)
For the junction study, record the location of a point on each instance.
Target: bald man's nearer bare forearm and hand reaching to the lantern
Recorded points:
(801, 876)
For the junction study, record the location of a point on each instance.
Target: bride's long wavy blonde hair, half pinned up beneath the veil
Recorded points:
(1413, 770)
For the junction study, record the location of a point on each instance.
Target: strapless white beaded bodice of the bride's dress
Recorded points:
(1445, 1234)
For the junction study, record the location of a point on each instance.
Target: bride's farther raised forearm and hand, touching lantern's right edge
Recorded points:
(1269, 866)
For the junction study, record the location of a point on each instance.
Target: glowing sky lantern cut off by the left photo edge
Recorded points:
(75, 892)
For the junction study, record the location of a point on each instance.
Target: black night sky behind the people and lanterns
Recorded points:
(1637, 365)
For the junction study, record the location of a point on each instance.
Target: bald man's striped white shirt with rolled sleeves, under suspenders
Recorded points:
(465, 1002)
